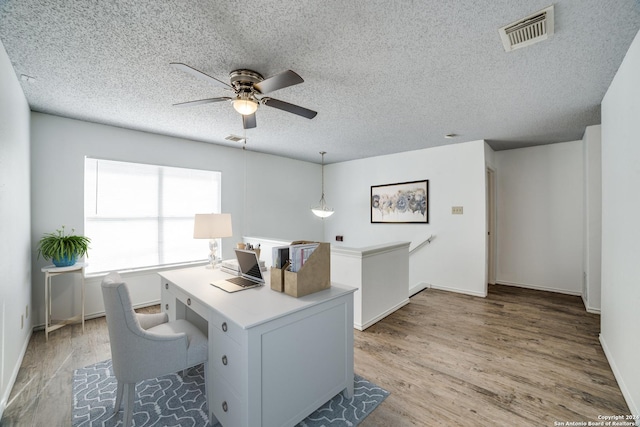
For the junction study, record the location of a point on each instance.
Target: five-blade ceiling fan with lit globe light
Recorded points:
(248, 87)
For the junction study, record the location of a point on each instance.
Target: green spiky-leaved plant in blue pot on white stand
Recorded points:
(63, 249)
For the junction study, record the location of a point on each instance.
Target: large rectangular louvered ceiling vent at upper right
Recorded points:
(527, 31)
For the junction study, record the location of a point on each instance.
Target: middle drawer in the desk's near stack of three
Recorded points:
(228, 359)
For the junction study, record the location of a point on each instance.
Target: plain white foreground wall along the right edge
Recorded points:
(620, 321)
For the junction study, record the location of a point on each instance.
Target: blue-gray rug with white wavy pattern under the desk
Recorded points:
(176, 400)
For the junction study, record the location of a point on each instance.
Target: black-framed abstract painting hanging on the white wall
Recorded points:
(405, 202)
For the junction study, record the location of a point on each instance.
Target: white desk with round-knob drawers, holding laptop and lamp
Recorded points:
(273, 359)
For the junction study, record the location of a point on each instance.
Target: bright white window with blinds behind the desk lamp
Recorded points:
(141, 216)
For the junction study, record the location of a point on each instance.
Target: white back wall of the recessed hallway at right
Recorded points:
(539, 214)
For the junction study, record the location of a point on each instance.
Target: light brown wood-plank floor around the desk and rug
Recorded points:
(518, 357)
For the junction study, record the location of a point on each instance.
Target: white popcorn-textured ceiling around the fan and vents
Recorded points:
(384, 76)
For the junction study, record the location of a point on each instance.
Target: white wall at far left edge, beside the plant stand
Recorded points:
(15, 216)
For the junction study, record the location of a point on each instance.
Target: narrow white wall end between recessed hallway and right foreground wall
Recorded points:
(592, 234)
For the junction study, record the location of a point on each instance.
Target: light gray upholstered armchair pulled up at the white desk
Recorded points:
(146, 345)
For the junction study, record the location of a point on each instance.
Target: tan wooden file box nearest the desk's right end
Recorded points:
(313, 276)
